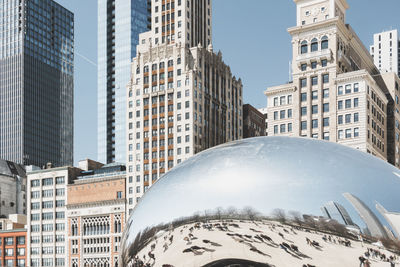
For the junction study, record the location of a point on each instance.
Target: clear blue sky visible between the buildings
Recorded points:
(251, 34)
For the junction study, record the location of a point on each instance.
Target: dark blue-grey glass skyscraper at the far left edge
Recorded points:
(36, 82)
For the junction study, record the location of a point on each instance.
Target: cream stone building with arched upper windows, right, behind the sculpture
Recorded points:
(337, 93)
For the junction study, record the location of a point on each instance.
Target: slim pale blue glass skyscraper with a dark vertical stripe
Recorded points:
(119, 26)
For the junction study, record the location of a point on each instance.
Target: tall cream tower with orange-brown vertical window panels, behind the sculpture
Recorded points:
(182, 97)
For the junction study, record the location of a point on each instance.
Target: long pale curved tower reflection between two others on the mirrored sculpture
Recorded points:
(372, 222)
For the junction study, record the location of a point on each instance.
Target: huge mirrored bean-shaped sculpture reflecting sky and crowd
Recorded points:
(269, 201)
